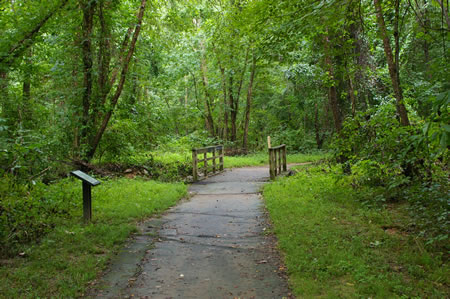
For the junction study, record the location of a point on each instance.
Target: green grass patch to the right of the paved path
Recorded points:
(334, 247)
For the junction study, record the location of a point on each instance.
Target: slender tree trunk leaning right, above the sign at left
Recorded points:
(121, 83)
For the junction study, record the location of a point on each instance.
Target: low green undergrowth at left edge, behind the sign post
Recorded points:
(29, 212)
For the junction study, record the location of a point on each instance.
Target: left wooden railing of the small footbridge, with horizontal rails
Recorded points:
(201, 165)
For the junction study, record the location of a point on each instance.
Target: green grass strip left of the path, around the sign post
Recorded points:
(73, 254)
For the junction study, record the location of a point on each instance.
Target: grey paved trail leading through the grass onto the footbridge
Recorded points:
(211, 246)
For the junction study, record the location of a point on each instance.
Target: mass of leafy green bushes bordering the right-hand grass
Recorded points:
(393, 163)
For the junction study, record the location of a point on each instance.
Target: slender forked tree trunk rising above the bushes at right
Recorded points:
(392, 65)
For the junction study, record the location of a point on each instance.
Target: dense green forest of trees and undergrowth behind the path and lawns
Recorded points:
(111, 86)
